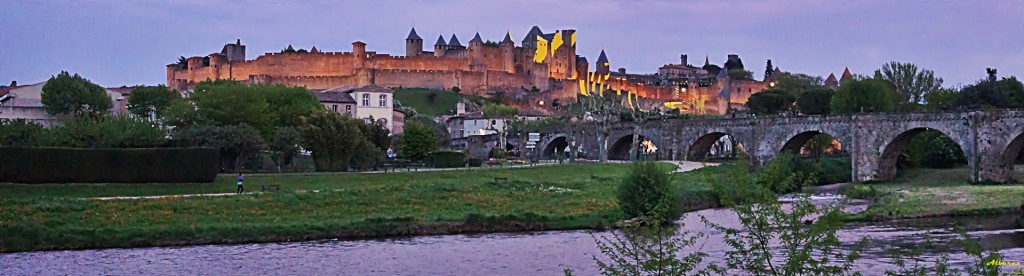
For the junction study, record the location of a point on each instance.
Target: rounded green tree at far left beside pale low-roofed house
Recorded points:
(73, 96)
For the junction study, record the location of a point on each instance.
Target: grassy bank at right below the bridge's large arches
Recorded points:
(929, 193)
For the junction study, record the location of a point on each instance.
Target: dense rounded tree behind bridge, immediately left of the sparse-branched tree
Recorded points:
(870, 96)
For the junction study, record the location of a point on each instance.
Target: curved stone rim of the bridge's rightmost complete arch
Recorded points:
(888, 162)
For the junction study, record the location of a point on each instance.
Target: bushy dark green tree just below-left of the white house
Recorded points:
(332, 139)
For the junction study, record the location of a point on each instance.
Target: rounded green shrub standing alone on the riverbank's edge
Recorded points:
(648, 193)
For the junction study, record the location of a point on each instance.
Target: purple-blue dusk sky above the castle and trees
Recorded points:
(117, 43)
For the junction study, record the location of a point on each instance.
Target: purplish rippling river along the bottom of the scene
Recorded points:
(502, 254)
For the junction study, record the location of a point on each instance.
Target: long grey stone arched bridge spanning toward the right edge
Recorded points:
(991, 141)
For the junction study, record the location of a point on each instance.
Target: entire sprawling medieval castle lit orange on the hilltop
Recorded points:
(546, 62)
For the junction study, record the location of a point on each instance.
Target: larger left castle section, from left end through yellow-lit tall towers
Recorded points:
(544, 61)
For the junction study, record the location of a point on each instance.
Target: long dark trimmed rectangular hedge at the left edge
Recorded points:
(55, 165)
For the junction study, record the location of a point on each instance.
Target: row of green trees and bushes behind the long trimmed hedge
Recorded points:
(246, 123)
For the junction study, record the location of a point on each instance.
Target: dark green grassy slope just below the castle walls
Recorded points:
(442, 104)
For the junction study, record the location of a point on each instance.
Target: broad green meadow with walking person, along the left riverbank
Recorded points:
(348, 206)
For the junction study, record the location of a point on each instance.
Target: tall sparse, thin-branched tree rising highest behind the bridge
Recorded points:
(911, 83)
